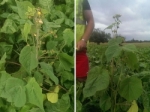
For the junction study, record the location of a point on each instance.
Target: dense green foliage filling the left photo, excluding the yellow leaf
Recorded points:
(36, 55)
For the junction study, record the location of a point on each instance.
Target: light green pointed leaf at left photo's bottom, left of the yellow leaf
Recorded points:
(34, 93)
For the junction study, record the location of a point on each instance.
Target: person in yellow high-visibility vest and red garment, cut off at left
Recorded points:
(84, 28)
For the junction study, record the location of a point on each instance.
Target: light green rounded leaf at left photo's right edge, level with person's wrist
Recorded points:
(68, 36)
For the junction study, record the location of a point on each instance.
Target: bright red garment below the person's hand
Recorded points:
(82, 64)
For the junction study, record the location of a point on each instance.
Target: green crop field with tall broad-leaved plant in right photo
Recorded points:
(118, 80)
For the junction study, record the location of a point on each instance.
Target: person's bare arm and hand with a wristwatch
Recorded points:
(88, 30)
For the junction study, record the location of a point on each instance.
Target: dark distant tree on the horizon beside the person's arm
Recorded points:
(99, 36)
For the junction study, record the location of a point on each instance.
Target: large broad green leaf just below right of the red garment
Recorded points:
(97, 80)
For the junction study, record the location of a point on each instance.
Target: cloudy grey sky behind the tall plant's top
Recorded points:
(135, 17)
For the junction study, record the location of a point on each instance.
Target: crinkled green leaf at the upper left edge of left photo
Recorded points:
(9, 27)
